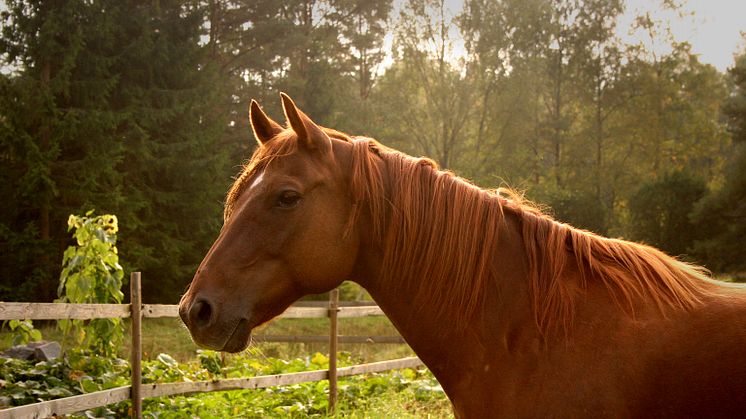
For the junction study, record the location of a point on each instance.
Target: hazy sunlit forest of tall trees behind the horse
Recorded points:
(139, 109)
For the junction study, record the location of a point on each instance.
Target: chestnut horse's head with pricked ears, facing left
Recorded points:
(285, 233)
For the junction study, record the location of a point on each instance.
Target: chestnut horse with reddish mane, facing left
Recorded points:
(516, 314)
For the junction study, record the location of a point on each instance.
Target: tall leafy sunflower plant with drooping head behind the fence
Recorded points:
(91, 274)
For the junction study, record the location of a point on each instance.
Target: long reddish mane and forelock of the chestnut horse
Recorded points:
(438, 226)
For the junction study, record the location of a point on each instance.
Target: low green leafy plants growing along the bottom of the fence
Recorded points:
(83, 372)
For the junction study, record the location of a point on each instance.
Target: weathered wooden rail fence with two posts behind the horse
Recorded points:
(137, 391)
